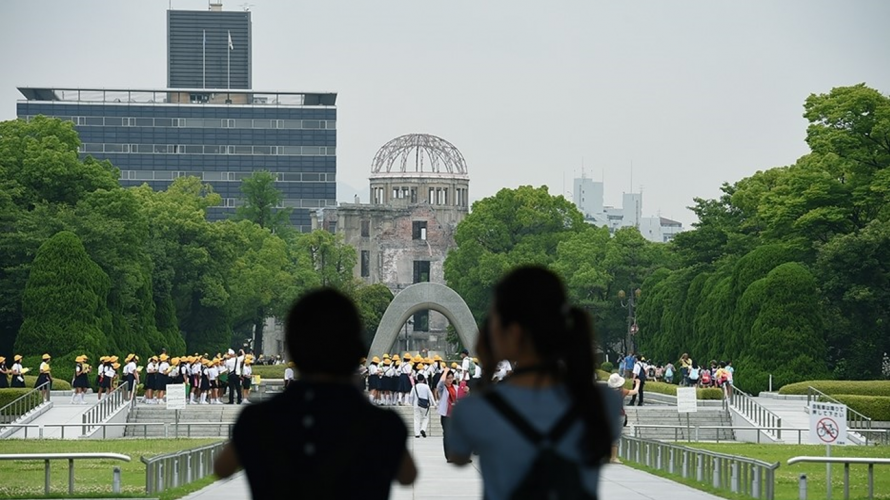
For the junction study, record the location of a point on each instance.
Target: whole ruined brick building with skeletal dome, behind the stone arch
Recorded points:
(419, 193)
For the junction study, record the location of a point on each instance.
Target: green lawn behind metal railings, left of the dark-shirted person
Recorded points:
(92, 478)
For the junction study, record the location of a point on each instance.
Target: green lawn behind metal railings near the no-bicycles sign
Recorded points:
(787, 476)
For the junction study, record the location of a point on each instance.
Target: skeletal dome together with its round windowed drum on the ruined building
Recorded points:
(420, 169)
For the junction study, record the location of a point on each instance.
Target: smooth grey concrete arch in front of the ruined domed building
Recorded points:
(419, 297)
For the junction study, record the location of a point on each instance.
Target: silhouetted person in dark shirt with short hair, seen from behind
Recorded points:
(321, 438)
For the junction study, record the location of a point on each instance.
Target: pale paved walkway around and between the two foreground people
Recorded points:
(437, 479)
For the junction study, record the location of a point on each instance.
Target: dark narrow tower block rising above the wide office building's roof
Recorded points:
(208, 49)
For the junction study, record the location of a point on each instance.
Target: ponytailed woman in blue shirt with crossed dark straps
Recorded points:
(544, 430)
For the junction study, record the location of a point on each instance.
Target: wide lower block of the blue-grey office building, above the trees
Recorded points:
(220, 136)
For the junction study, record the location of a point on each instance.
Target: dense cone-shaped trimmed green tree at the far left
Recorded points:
(64, 302)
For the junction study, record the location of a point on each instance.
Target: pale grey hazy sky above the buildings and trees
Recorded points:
(692, 93)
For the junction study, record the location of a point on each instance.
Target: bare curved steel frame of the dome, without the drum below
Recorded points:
(426, 151)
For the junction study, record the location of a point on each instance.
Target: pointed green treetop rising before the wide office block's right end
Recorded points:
(262, 202)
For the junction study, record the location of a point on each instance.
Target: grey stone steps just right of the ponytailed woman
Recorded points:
(678, 430)
